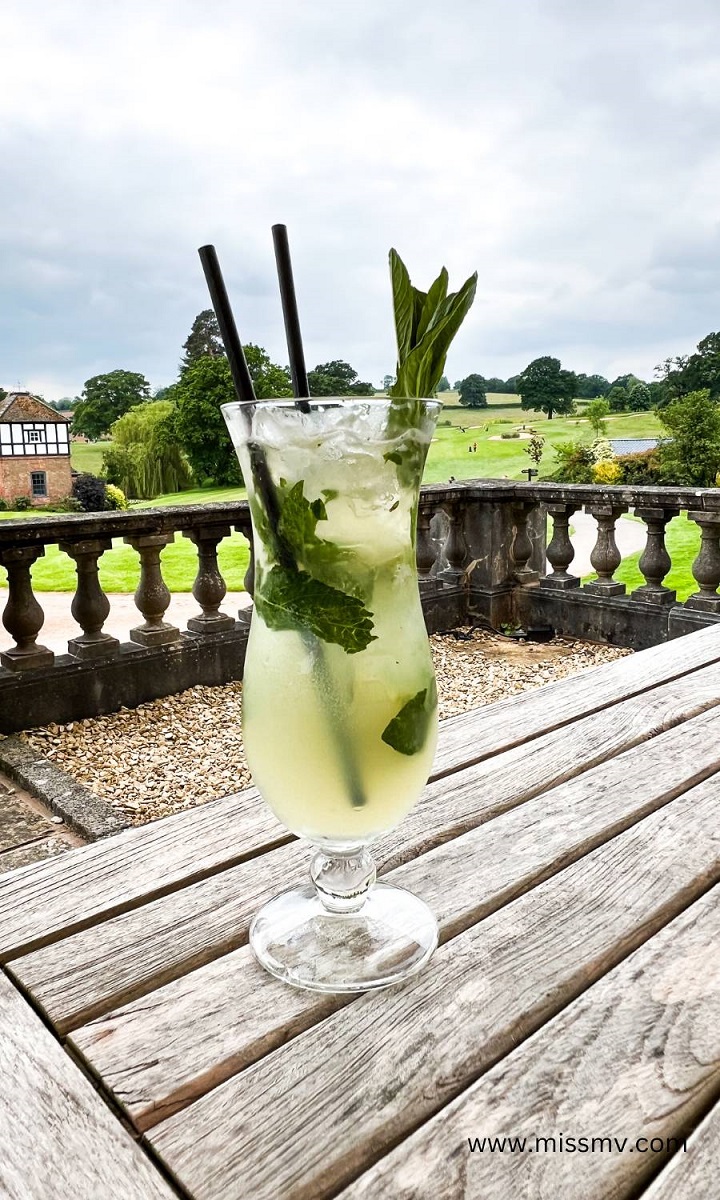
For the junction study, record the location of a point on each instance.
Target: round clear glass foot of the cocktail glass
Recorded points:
(391, 938)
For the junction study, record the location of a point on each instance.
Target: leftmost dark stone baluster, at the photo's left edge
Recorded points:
(23, 617)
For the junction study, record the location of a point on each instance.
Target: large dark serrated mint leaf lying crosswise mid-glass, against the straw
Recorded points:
(290, 599)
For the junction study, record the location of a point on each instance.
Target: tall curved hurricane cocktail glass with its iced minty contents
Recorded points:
(340, 703)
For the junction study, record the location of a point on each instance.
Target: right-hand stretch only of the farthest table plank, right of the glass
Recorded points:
(521, 718)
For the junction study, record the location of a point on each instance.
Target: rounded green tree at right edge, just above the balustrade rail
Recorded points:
(692, 458)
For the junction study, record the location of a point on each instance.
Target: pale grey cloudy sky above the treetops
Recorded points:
(567, 151)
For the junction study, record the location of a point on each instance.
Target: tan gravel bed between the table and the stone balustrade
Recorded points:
(182, 752)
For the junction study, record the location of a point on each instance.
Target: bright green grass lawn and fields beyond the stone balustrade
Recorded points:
(459, 429)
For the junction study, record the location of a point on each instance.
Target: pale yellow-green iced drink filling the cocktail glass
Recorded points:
(319, 721)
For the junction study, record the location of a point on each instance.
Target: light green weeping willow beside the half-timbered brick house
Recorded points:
(146, 459)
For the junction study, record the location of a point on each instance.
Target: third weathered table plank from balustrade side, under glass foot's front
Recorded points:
(157, 1057)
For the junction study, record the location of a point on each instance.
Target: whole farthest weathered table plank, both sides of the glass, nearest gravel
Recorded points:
(43, 904)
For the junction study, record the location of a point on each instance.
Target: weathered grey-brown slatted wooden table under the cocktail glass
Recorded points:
(569, 842)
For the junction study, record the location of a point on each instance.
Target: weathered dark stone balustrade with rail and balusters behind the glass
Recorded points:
(483, 557)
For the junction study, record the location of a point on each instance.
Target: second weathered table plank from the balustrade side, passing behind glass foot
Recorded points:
(98, 969)
